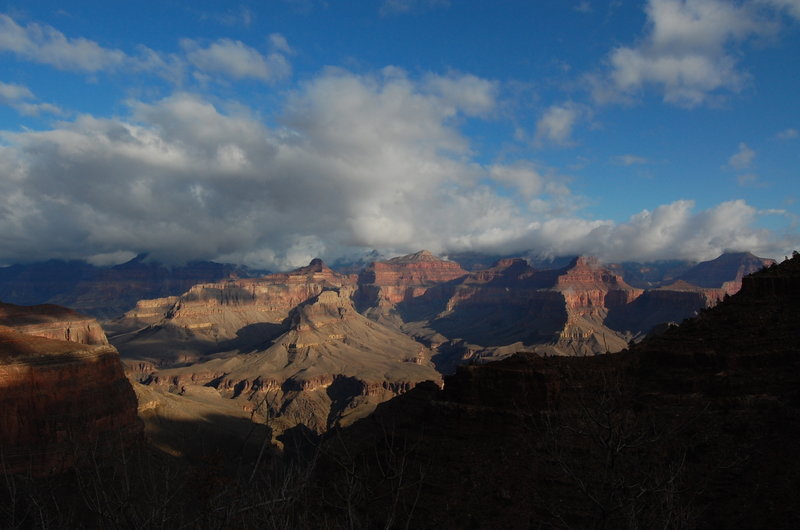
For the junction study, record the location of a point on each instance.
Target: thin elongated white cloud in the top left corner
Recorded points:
(45, 44)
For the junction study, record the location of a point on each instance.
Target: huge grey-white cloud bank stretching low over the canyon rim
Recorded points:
(356, 162)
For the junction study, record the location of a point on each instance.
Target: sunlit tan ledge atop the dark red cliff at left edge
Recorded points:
(52, 322)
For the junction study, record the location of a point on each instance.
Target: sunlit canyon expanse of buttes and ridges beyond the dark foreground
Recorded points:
(319, 348)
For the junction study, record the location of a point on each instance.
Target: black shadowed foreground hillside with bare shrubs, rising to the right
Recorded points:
(694, 428)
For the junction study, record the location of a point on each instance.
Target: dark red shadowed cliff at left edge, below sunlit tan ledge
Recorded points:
(59, 400)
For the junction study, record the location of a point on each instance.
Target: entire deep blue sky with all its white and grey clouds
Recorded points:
(272, 132)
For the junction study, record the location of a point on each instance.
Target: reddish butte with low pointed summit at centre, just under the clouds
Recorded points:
(403, 278)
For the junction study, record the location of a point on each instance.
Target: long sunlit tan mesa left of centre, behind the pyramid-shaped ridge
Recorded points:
(222, 316)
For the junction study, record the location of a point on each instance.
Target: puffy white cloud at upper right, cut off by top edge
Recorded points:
(685, 52)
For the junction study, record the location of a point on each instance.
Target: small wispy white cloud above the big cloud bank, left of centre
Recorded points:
(236, 60)
